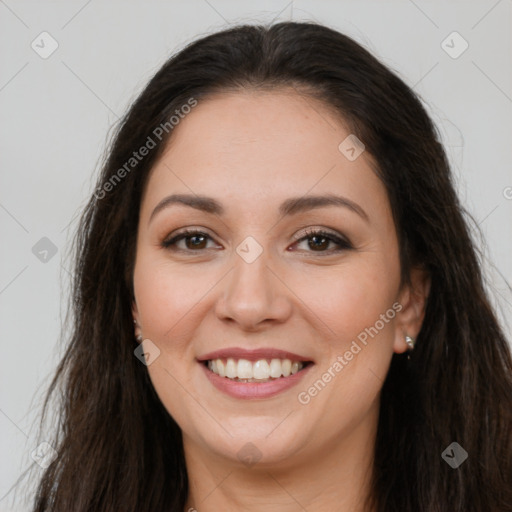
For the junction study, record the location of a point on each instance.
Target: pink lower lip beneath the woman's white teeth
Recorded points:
(251, 390)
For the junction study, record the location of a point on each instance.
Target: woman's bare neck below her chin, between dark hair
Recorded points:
(335, 477)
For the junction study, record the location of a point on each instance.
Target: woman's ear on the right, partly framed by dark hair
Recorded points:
(413, 299)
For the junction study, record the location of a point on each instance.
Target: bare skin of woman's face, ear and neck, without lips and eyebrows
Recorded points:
(251, 150)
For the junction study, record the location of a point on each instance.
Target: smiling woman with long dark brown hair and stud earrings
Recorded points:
(278, 305)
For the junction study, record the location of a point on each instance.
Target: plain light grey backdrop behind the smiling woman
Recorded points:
(56, 113)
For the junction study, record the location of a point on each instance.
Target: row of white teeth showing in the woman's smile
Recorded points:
(261, 370)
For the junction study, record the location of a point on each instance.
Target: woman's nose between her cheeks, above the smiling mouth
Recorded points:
(254, 295)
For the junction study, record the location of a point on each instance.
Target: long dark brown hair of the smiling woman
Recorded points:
(119, 449)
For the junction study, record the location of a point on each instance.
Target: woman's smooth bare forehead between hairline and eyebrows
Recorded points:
(252, 146)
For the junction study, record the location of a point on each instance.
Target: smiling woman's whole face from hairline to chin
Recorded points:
(257, 287)
